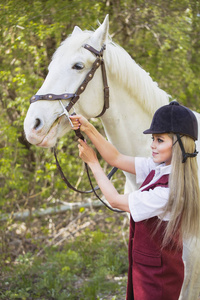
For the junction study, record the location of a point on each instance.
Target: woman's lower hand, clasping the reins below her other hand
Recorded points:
(86, 153)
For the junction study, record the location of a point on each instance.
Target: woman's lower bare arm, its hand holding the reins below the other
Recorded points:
(116, 200)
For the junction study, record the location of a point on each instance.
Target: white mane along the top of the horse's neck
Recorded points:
(136, 80)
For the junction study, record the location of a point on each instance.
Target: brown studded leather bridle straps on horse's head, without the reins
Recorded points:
(75, 97)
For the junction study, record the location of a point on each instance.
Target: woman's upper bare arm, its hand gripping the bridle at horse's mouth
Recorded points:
(106, 149)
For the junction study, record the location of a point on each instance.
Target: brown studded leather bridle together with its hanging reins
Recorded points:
(74, 98)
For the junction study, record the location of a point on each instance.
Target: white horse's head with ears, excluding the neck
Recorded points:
(70, 65)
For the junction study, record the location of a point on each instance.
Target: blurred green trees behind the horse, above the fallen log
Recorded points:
(162, 36)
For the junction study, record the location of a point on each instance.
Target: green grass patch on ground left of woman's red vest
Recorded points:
(84, 269)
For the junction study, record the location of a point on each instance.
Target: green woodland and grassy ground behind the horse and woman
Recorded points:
(80, 253)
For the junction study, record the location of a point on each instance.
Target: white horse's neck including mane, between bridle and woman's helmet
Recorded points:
(134, 97)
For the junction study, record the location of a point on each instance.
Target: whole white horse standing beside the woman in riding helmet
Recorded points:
(134, 97)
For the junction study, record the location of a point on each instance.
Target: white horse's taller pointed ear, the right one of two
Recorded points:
(101, 34)
